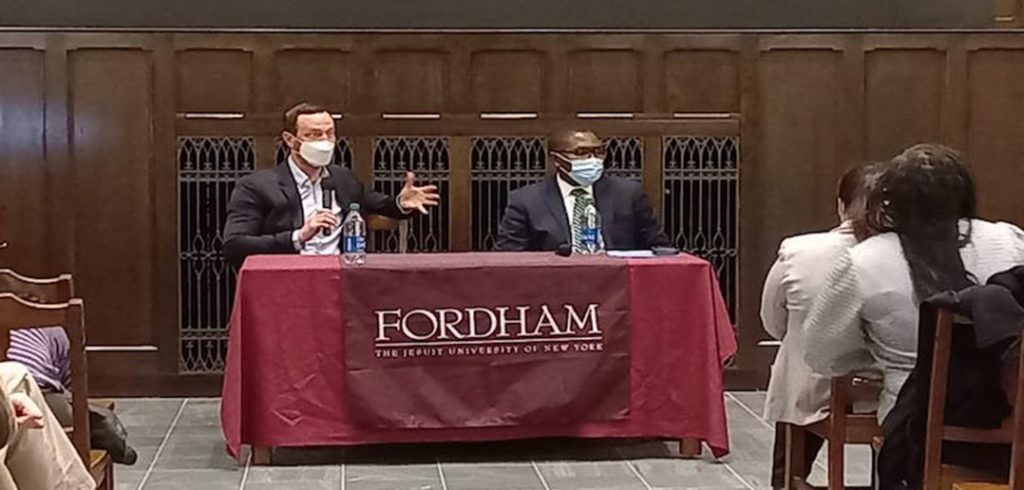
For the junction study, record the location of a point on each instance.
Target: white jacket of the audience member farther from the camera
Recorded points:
(796, 394)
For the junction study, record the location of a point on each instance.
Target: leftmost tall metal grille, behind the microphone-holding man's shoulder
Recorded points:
(208, 168)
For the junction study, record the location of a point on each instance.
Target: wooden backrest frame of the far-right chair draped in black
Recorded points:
(937, 431)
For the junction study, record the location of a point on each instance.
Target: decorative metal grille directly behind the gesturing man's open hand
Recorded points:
(431, 159)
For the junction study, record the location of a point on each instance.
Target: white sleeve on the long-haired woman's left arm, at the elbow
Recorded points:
(835, 336)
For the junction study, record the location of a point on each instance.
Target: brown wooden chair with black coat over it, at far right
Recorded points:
(945, 476)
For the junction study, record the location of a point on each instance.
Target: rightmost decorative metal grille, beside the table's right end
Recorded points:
(702, 204)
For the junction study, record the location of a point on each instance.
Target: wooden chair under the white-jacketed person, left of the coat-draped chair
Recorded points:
(841, 428)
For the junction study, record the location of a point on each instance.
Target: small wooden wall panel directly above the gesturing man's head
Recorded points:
(318, 76)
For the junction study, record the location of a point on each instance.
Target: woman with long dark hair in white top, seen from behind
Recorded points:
(924, 206)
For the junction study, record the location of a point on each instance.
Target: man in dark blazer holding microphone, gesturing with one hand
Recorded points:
(283, 210)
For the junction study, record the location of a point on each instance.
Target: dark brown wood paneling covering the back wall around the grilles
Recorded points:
(89, 124)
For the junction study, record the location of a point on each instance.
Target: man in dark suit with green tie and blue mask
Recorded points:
(546, 215)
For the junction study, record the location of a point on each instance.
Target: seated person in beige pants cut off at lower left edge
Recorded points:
(36, 454)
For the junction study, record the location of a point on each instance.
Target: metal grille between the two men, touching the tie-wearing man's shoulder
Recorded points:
(501, 165)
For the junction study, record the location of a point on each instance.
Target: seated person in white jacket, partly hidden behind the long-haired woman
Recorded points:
(796, 395)
